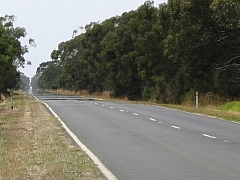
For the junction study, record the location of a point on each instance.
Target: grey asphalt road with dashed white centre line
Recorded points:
(141, 142)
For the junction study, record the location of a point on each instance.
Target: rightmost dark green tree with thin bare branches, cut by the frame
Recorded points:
(226, 15)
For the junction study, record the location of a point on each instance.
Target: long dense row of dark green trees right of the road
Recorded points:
(158, 53)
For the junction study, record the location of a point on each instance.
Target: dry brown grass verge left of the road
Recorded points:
(33, 145)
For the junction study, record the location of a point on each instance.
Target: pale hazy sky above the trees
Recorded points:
(51, 22)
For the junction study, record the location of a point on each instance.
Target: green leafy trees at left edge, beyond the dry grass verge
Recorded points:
(11, 53)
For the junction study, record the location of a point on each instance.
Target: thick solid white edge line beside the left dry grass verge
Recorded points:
(94, 158)
